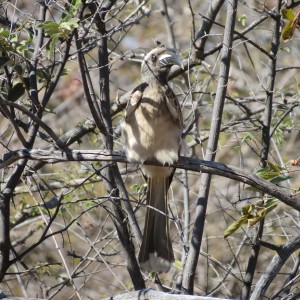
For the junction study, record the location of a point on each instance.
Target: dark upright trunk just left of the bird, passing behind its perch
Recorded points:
(114, 181)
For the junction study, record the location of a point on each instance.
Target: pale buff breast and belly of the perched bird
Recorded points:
(151, 132)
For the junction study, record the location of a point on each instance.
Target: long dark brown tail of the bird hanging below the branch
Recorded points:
(156, 252)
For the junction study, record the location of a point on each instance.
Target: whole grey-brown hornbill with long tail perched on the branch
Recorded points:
(153, 130)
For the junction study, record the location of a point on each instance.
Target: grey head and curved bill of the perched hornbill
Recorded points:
(158, 62)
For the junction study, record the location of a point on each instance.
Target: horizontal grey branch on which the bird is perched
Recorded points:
(193, 164)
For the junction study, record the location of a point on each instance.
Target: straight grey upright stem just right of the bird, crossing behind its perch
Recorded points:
(189, 272)
